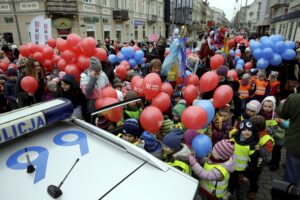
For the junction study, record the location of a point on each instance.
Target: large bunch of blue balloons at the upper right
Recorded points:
(272, 50)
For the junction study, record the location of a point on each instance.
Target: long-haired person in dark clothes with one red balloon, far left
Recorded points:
(30, 84)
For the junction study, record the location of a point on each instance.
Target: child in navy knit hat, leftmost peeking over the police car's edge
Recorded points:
(130, 131)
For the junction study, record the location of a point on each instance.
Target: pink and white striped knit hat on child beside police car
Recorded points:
(224, 148)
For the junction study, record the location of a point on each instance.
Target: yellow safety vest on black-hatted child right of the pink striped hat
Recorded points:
(241, 156)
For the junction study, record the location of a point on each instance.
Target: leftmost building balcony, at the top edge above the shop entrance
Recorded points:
(61, 7)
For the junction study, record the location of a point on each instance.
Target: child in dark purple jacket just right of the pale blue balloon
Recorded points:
(221, 125)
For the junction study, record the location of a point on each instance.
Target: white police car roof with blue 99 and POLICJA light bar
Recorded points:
(46, 154)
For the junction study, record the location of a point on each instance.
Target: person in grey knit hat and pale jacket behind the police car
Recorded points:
(92, 81)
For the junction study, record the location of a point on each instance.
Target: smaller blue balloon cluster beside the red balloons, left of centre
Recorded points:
(133, 55)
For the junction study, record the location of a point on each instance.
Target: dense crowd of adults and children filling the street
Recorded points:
(246, 134)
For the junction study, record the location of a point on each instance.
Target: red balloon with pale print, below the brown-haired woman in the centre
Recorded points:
(152, 83)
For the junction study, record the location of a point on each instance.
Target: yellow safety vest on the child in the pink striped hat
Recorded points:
(220, 187)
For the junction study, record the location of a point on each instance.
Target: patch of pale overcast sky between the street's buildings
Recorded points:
(228, 6)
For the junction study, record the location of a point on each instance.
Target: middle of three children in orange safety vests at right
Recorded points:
(261, 84)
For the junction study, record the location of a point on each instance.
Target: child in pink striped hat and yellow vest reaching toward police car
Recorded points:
(215, 173)
